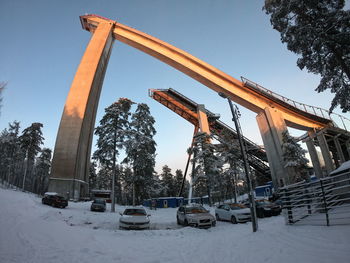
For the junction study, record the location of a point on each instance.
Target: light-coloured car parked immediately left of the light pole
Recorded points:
(236, 213)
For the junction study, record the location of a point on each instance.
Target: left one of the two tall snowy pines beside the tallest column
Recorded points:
(111, 134)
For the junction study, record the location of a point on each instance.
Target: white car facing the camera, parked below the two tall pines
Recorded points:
(134, 218)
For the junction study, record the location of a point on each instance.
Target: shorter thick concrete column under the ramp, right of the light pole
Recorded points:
(271, 125)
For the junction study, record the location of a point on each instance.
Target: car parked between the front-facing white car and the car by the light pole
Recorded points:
(195, 215)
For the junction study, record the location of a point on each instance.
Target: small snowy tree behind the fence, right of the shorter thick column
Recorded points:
(294, 158)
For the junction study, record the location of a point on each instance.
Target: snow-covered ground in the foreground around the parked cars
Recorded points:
(32, 232)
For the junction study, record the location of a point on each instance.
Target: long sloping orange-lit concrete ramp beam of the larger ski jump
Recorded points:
(203, 72)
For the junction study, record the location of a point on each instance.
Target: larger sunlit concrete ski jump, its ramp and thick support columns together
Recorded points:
(71, 159)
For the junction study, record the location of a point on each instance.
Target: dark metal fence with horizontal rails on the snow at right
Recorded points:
(322, 202)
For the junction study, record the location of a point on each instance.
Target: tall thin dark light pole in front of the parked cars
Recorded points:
(235, 116)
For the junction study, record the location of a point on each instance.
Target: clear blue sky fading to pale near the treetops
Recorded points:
(42, 43)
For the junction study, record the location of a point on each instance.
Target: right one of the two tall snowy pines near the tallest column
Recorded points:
(140, 149)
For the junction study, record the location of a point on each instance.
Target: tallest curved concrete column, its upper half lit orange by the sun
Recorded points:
(71, 159)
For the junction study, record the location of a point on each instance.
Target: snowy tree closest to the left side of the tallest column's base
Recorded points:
(42, 171)
